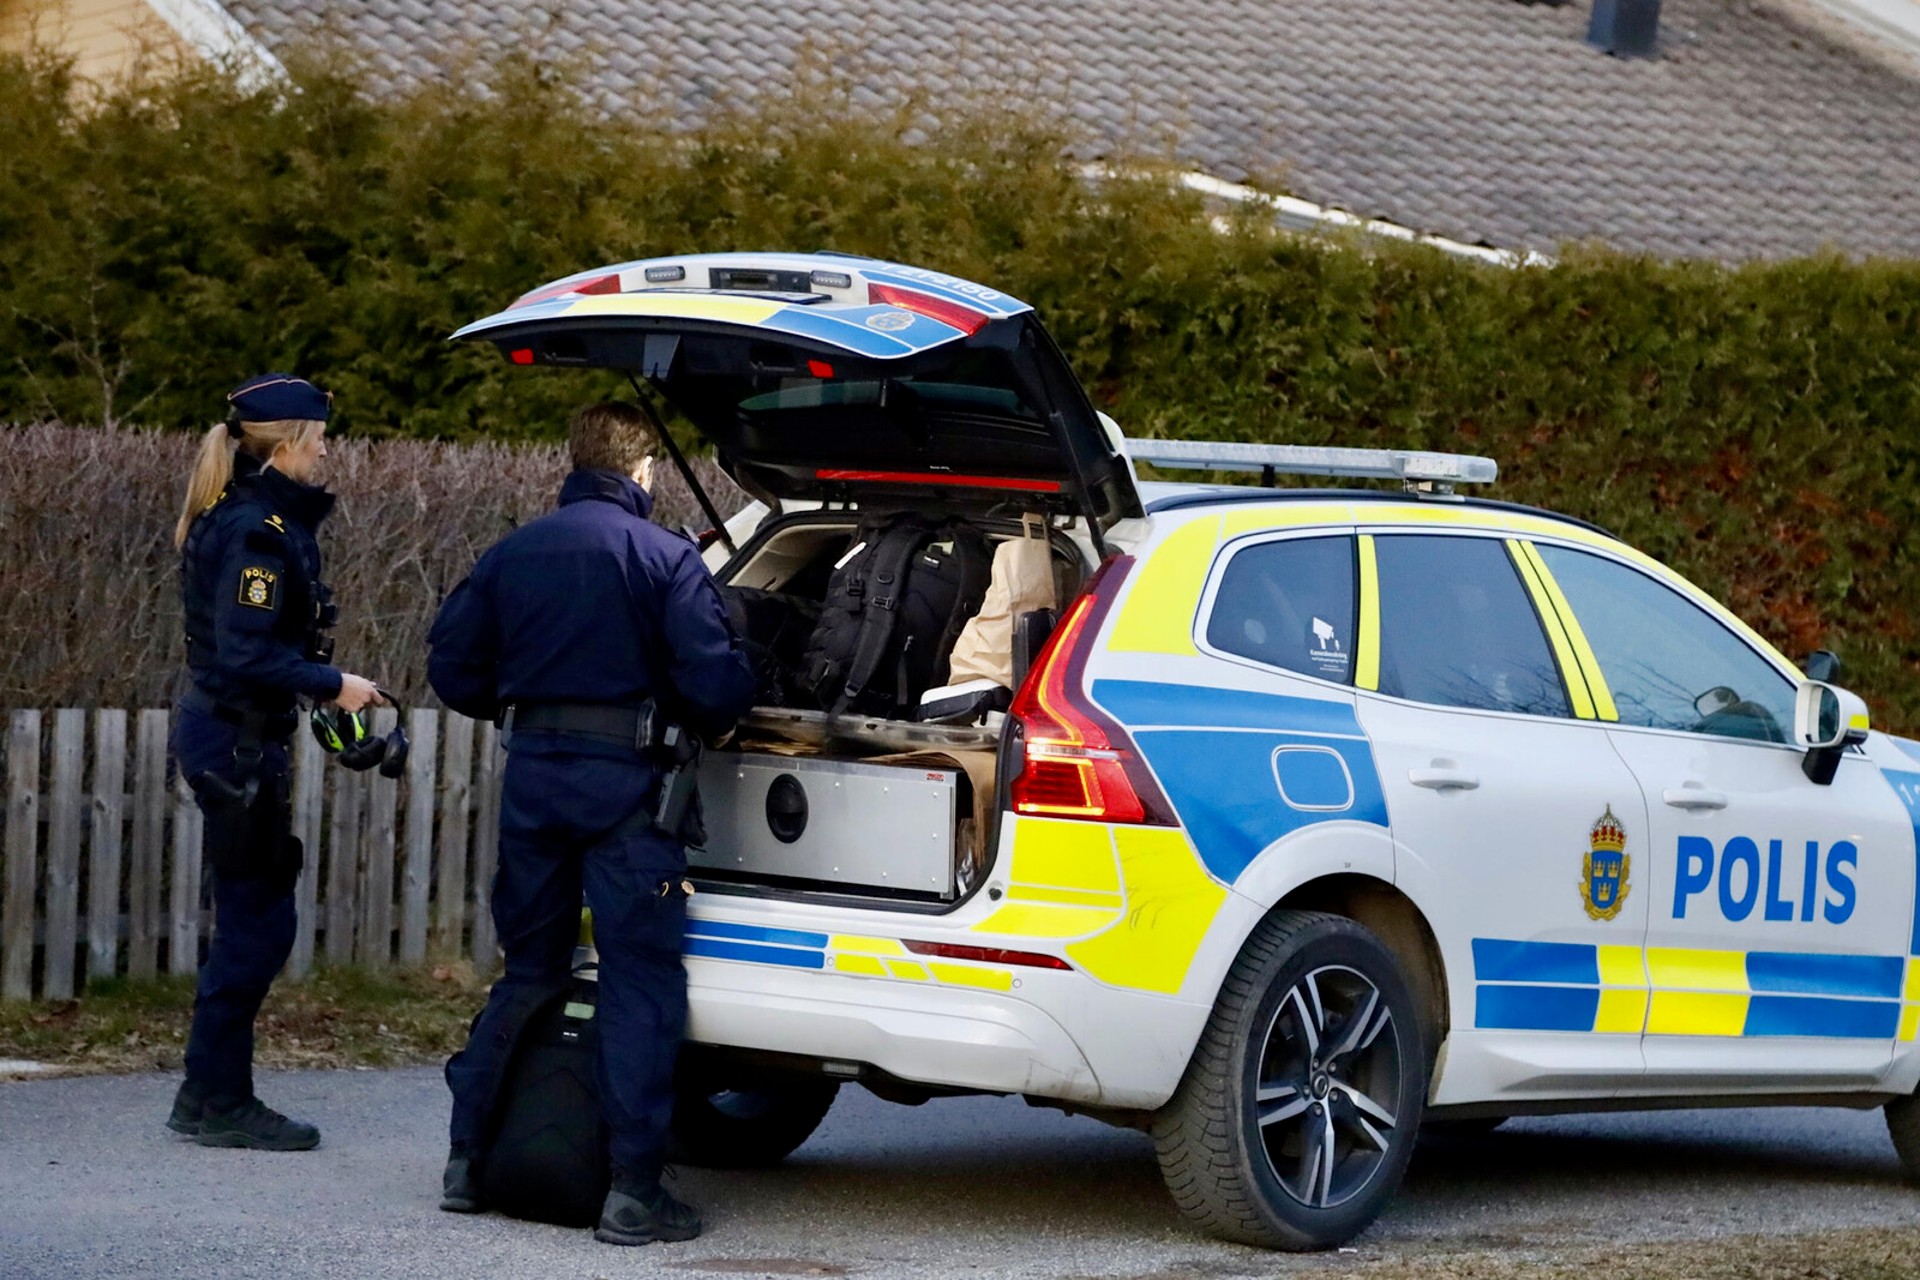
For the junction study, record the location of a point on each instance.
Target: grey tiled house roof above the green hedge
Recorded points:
(1754, 135)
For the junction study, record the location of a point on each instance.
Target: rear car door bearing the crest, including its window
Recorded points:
(1514, 818)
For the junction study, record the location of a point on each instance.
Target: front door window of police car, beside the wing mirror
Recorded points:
(1669, 665)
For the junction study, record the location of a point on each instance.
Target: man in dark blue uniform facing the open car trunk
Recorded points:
(587, 634)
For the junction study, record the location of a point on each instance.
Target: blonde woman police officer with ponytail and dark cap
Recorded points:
(256, 619)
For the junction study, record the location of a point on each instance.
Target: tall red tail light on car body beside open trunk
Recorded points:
(1076, 761)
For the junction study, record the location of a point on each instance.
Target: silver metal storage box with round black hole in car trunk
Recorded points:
(842, 822)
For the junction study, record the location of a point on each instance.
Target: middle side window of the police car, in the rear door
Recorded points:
(1460, 630)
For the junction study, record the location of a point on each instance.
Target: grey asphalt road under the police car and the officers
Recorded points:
(93, 1185)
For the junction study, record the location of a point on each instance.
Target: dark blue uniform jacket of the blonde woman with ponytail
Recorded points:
(251, 582)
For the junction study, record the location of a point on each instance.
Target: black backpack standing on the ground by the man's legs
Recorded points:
(548, 1147)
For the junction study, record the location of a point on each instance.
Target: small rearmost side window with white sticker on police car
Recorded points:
(1289, 605)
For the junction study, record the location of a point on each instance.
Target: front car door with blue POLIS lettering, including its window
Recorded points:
(1779, 911)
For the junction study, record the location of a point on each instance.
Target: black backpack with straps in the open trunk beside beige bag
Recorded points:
(894, 609)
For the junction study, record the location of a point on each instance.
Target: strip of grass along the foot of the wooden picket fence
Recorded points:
(335, 1018)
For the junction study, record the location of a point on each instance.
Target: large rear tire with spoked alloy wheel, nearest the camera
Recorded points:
(1339, 1129)
